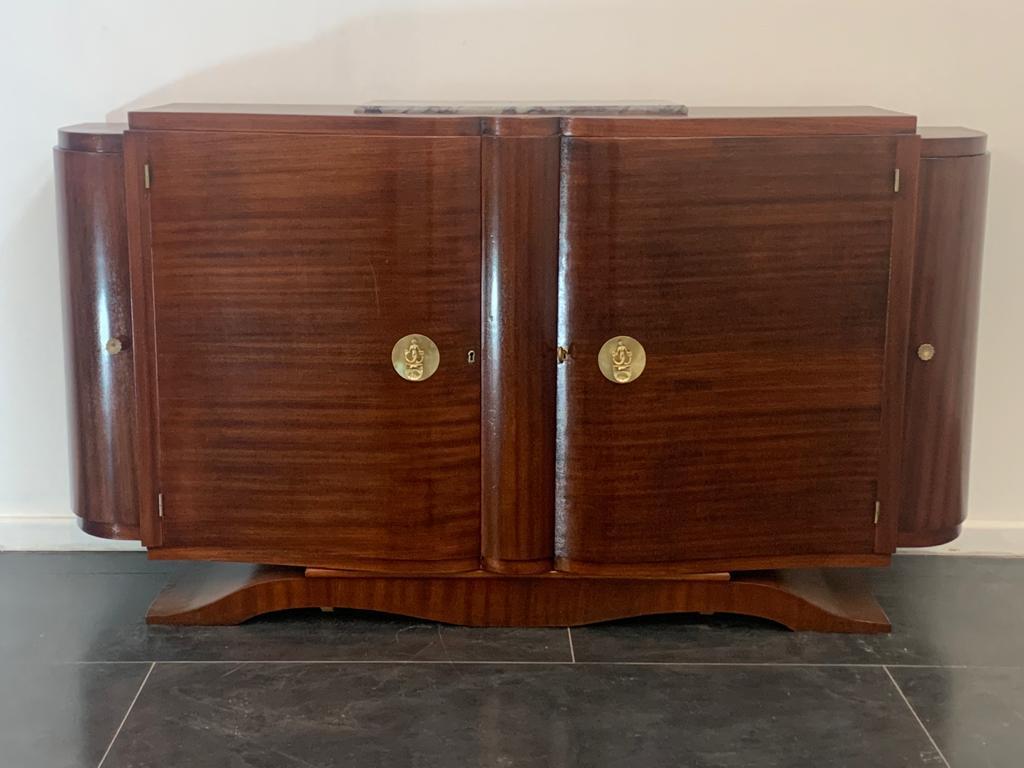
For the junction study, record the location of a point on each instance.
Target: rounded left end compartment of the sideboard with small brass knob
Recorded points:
(90, 181)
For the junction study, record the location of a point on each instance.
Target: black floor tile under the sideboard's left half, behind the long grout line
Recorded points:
(96, 612)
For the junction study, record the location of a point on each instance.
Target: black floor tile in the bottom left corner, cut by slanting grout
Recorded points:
(63, 716)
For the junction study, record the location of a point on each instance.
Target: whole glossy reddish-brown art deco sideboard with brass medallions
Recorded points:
(522, 367)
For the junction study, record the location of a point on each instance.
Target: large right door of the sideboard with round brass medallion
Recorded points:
(756, 274)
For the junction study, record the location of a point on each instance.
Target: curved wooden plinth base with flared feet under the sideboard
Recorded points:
(817, 601)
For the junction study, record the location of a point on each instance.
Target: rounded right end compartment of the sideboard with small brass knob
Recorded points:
(947, 290)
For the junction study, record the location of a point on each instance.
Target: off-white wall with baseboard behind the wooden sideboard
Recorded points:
(76, 61)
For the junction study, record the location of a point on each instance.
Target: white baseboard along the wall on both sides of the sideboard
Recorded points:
(61, 534)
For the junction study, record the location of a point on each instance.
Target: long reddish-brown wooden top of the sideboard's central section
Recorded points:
(622, 120)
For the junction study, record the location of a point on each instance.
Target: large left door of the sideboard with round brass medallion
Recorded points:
(284, 270)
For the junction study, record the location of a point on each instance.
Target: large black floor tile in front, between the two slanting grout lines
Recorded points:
(259, 716)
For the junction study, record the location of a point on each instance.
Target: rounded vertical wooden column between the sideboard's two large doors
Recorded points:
(521, 272)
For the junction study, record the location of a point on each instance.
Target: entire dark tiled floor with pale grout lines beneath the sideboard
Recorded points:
(83, 682)
